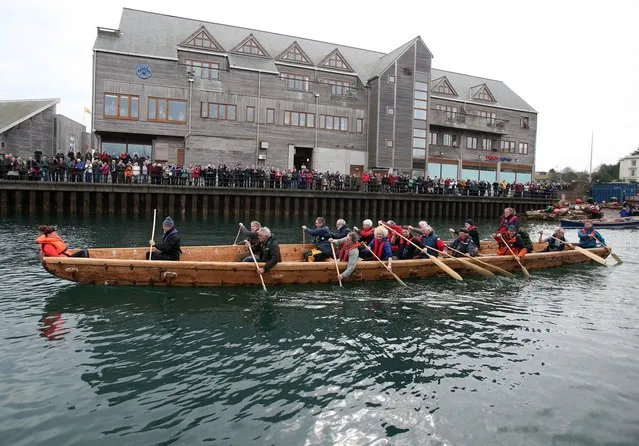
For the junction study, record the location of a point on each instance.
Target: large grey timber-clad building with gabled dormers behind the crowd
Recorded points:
(194, 92)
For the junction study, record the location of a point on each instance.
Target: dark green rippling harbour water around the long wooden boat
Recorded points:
(551, 360)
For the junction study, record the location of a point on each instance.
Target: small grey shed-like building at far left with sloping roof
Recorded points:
(28, 126)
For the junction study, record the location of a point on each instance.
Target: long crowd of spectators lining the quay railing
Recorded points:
(127, 169)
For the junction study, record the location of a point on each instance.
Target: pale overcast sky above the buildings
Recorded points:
(575, 62)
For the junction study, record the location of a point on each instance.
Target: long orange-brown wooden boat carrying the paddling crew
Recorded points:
(214, 266)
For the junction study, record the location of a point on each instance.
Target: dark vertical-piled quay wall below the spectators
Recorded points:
(109, 200)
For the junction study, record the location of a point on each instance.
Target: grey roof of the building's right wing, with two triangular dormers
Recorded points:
(465, 85)
